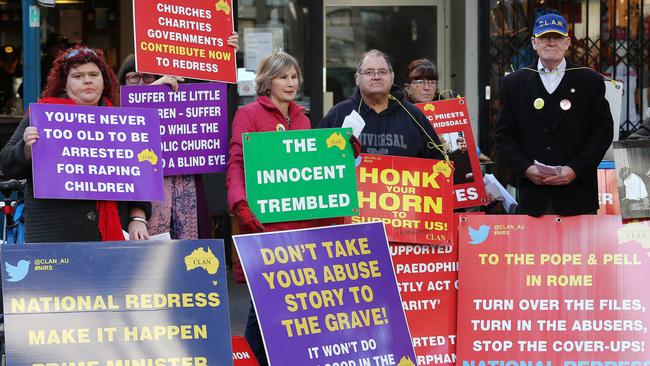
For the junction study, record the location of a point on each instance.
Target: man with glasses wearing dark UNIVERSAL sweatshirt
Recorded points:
(393, 126)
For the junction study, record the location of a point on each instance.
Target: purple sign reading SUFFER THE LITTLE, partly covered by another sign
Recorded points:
(193, 124)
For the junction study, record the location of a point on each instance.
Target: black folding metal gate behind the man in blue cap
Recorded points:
(612, 37)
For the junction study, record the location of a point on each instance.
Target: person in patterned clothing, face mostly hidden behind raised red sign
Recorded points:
(178, 213)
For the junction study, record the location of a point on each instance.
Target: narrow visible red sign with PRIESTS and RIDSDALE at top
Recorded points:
(450, 119)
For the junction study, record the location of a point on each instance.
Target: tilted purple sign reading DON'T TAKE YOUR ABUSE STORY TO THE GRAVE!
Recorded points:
(327, 296)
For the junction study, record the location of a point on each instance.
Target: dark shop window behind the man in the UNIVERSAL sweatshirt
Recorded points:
(405, 33)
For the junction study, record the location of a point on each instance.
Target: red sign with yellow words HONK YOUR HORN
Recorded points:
(412, 196)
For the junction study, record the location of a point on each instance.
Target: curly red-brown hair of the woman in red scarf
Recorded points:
(58, 76)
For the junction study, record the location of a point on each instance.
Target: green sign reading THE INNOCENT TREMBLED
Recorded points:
(300, 174)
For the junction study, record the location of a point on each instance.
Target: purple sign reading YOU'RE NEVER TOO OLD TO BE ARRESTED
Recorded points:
(96, 153)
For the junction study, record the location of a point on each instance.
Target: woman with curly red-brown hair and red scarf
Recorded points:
(79, 76)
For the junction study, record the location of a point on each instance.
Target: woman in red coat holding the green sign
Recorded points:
(278, 80)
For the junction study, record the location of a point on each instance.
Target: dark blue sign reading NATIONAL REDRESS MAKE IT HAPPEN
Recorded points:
(115, 304)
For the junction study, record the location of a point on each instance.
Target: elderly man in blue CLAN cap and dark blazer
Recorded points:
(555, 113)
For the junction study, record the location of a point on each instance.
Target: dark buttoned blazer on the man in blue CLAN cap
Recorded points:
(577, 137)
